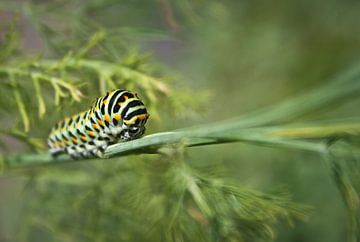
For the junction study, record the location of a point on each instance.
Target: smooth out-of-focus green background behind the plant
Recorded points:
(238, 56)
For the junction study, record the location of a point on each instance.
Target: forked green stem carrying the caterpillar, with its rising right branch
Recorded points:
(268, 126)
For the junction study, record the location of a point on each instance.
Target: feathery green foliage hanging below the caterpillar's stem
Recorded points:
(155, 199)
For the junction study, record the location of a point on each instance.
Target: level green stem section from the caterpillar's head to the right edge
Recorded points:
(309, 137)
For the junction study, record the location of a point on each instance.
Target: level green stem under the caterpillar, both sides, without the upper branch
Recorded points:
(161, 142)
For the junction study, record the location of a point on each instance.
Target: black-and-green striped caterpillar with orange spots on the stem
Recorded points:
(118, 116)
